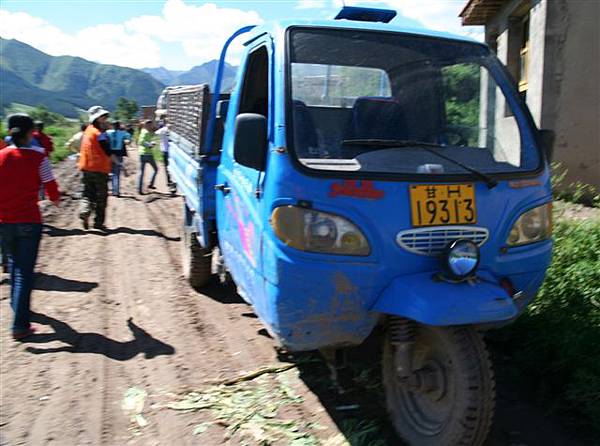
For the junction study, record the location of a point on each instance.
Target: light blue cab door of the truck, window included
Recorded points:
(239, 206)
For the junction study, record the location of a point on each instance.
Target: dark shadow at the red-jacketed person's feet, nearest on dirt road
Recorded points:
(97, 343)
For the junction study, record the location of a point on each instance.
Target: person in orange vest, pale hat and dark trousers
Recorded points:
(95, 163)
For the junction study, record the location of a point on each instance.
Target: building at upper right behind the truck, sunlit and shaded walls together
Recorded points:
(564, 75)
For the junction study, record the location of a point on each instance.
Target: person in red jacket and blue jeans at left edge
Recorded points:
(23, 170)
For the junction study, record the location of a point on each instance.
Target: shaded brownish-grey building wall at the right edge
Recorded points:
(571, 104)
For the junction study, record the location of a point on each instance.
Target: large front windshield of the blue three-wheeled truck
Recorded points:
(396, 103)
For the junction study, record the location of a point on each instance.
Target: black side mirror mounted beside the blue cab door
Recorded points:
(250, 141)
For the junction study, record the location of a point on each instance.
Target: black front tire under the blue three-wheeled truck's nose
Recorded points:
(458, 412)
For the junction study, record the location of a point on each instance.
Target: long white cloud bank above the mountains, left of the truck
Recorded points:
(201, 31)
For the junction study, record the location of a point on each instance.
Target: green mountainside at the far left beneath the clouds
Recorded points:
(67, 84)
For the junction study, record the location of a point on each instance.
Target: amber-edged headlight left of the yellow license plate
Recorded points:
(316, 231)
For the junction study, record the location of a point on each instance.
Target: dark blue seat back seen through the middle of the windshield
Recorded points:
(377, 118)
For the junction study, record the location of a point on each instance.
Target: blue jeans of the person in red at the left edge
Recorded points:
(21, 242)
